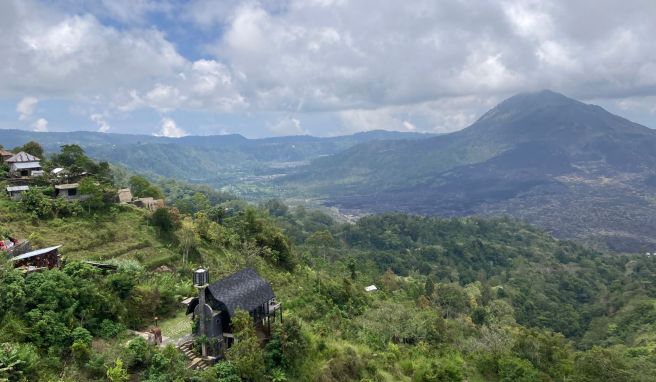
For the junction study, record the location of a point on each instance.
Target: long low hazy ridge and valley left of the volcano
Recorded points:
(242, 165)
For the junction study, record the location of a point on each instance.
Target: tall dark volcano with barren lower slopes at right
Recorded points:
(575, 169)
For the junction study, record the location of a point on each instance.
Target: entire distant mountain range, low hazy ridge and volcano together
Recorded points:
(572, 168)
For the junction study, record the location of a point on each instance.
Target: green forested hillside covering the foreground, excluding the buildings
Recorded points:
(460, 299)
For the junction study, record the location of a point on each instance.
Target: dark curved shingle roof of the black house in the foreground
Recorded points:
(245, 290)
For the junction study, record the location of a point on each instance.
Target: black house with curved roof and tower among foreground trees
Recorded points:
(244, 290)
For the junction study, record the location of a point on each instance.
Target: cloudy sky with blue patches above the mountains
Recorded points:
(318, 67)
